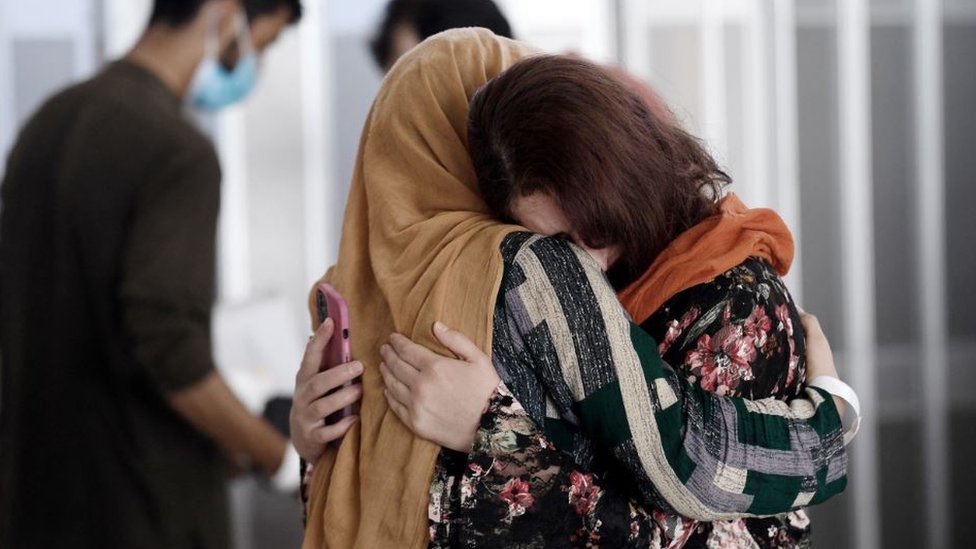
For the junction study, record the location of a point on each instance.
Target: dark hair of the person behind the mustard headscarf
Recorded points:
(430, 17)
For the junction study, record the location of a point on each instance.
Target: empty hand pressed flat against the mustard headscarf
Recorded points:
(439, 398)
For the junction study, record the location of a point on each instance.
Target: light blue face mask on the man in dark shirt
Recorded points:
(215, 87)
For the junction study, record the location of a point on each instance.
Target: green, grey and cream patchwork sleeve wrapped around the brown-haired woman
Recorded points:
(705, 456)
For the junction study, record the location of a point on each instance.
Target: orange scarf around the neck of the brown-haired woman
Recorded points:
(709, 249)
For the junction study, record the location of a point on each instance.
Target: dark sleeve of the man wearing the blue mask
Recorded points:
(167, 278)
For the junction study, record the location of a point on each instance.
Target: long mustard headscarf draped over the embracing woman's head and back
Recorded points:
(418, 245)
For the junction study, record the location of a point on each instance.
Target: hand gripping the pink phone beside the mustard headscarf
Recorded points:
(311, 403)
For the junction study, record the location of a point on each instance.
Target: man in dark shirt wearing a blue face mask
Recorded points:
(116, 430)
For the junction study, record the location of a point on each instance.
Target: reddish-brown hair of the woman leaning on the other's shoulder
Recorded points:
(621, 174)
